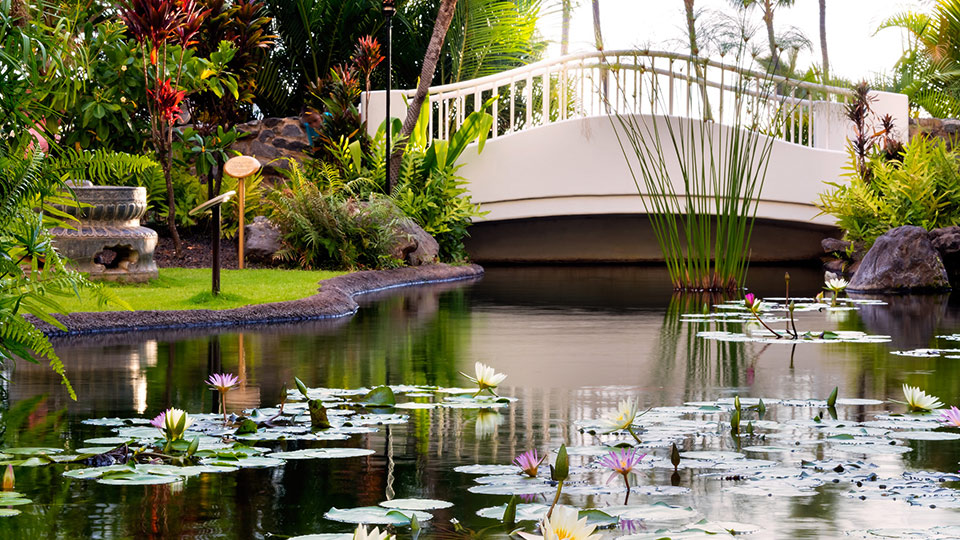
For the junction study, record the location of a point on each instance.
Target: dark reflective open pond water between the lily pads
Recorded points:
(573, 342)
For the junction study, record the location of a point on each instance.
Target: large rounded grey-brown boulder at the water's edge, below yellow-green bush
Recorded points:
(902, 259)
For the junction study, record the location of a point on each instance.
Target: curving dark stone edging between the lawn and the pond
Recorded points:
(334, 299)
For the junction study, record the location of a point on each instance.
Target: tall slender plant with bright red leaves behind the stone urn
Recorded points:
(155, 24)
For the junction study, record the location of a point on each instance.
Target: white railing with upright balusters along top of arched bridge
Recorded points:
(644, 82)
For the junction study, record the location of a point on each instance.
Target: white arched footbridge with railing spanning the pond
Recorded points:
(552, 176)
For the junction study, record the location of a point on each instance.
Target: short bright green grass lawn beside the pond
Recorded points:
(189, 288)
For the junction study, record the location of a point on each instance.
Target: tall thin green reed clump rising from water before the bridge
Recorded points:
(700, 178)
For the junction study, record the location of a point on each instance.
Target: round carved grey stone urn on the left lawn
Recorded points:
(108, 243)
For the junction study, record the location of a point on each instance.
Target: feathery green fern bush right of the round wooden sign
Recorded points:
(334, 230)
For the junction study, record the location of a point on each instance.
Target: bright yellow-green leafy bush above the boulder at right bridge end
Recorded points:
(922, 188)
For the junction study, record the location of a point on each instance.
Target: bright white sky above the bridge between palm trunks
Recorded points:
(855, 52)
